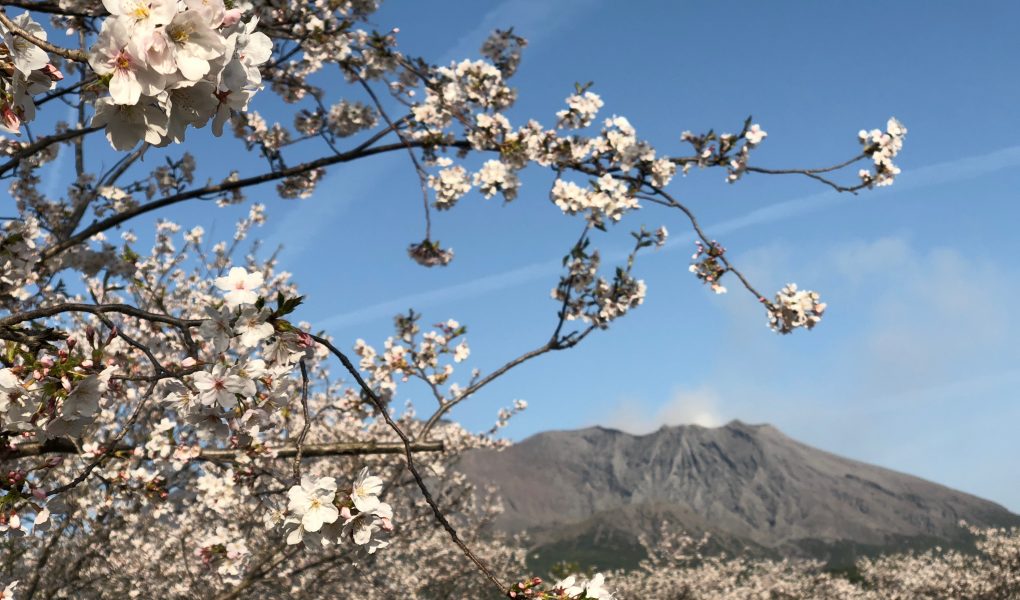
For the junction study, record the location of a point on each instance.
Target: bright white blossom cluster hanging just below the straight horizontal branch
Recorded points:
(320, 515)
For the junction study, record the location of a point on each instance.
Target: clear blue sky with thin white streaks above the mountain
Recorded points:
(915, 366)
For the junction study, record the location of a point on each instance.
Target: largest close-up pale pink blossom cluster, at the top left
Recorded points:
(170, 66)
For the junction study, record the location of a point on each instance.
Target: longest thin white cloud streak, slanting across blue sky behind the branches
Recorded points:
(958, 170)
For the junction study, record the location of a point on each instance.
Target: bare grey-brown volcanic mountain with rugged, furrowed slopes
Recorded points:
(589, 493)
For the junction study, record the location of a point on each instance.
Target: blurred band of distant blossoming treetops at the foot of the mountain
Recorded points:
(681, 567)
